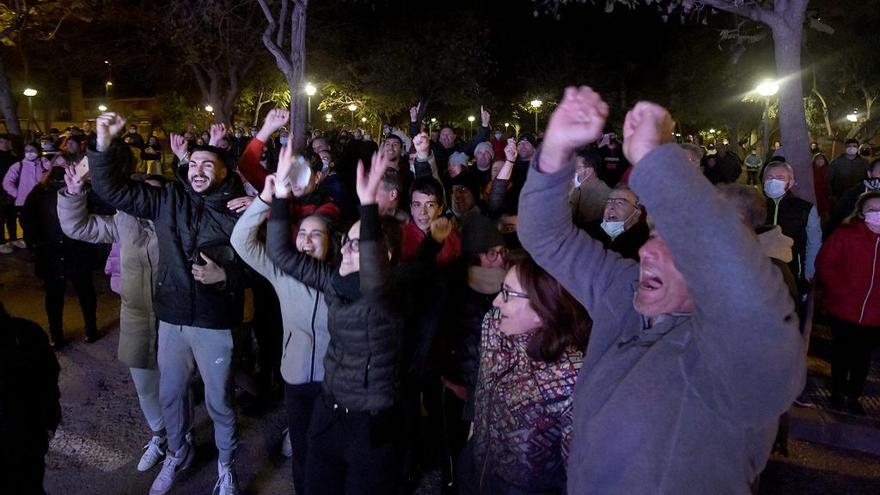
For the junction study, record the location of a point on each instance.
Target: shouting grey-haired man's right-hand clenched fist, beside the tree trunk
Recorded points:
(646, 127)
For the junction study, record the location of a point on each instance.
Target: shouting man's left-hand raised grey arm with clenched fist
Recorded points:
(545, 229)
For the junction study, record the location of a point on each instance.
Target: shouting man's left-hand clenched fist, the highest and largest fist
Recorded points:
(578, 120)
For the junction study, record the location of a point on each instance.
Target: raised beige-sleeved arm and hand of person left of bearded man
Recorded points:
(73, 214)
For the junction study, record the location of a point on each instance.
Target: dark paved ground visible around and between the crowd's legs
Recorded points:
(101, 435)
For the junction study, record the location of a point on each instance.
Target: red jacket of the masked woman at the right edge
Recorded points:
(848, 266)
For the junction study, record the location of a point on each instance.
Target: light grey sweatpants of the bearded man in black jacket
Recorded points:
(180, 348)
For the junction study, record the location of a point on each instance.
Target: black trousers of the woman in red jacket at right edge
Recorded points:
(851, 356)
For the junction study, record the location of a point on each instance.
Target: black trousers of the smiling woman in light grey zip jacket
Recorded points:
(300, 403)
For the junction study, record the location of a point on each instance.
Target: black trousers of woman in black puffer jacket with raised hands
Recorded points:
(352, 452)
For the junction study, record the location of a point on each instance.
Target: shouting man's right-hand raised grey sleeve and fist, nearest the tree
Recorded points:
(753, 342)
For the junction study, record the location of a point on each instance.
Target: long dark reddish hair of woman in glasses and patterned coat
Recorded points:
(565, 322)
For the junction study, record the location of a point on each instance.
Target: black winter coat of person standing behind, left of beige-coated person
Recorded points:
(56, 255)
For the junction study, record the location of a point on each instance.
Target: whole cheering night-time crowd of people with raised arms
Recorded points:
(564, 313)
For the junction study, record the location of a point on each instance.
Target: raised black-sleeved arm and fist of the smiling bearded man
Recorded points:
(106, 167)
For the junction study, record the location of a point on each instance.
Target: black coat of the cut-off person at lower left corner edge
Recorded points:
(29, 394)
